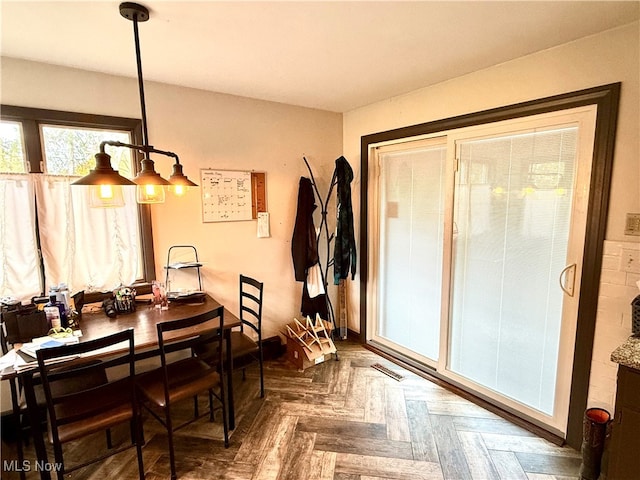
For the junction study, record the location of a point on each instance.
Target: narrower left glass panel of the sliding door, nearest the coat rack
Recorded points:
(412, 190)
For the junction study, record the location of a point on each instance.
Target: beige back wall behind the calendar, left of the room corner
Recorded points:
(207, 130)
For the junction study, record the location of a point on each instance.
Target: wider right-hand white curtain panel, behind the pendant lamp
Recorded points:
(91, 249)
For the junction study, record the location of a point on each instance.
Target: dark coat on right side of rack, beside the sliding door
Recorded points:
(344, 253)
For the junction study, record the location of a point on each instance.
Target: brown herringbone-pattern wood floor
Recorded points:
(340, 420)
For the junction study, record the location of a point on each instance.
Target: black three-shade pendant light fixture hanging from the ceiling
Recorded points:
(150, 185)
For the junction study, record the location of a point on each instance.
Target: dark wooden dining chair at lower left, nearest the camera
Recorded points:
(87, 408)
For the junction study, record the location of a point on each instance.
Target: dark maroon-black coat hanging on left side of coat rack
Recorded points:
(304, 250)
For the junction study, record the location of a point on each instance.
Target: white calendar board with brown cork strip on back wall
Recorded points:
(231, 195)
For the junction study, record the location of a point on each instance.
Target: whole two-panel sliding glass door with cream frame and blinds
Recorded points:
(481, 233)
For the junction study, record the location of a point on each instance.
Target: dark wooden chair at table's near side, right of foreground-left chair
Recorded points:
(184, 378)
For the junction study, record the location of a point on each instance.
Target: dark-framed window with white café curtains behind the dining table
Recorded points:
(48, 233)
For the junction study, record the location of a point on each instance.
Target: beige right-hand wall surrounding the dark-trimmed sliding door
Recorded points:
(601, 59)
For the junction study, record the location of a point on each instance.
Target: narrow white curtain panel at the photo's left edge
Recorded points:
(20, 276)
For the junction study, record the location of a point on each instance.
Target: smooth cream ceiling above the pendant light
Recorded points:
(331, 55)
